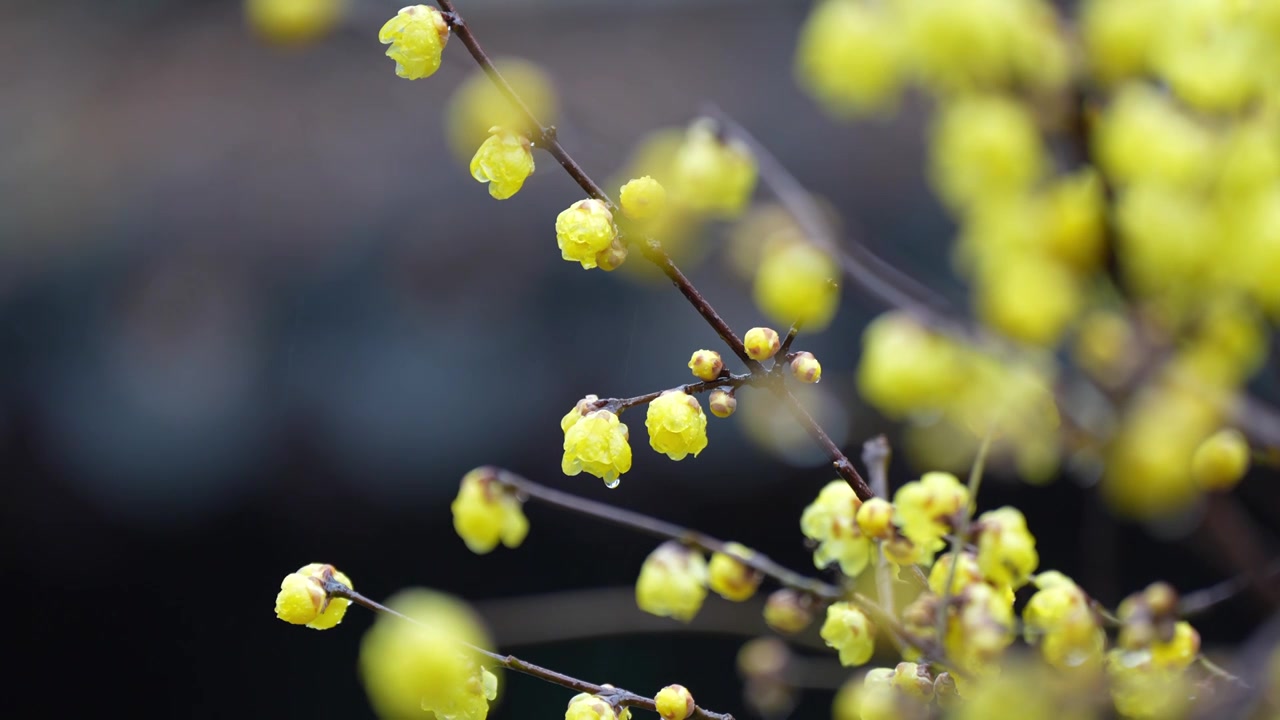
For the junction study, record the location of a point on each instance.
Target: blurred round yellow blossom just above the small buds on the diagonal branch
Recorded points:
(797, 282)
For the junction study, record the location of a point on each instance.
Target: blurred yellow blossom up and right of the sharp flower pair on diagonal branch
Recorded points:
(712, 176)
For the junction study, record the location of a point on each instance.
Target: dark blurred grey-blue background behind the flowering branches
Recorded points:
(254, 313)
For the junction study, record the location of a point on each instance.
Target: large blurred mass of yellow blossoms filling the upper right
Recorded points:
(1171, 195)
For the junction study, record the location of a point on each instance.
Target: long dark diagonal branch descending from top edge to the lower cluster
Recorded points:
(652, 250)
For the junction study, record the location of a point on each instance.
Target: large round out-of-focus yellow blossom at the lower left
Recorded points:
(423, 664)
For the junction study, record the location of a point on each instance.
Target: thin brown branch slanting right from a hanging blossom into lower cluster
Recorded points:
(662, 530)
